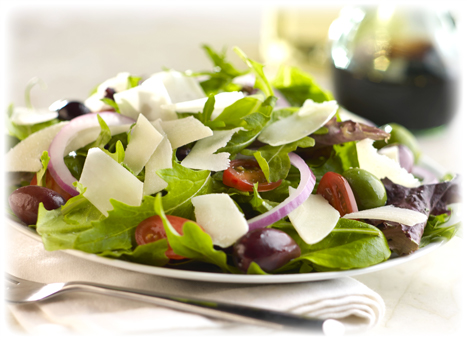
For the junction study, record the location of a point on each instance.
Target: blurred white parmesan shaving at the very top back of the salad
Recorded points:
(180, 88)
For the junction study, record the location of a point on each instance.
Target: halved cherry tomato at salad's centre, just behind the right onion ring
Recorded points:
(242, 174)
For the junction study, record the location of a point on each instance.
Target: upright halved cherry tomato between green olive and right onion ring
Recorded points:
(336, 190)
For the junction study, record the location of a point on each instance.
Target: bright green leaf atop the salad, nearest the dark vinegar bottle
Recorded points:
(298, 86)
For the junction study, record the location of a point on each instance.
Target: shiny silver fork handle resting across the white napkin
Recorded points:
(226, 311)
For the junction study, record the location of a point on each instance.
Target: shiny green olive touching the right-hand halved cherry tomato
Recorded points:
(368, 190)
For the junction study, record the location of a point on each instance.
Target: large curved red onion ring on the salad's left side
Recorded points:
(56, 166)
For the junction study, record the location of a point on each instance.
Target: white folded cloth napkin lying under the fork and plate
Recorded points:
(343, 299)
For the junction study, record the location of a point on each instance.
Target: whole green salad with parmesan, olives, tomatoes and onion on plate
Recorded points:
(224, 170)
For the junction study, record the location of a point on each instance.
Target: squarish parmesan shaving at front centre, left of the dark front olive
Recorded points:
(220, 218)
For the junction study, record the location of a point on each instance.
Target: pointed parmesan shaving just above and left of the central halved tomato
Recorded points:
(203, 157)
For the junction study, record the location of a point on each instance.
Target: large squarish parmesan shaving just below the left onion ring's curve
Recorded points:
(118, 183)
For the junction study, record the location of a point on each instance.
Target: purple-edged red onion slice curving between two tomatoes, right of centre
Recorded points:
(304, 189)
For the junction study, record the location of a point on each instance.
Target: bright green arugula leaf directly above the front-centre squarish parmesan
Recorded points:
(182, 185)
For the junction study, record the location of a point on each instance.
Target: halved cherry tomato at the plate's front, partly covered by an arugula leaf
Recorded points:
(152, 230)
